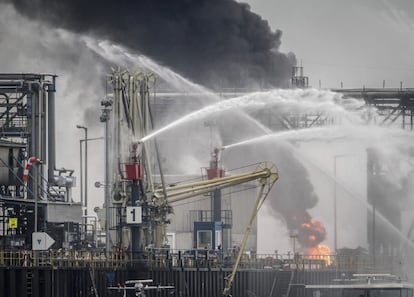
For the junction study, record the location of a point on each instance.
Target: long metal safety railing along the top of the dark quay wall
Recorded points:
(161, 258)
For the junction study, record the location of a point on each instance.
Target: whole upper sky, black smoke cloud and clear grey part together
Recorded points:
(221, 42)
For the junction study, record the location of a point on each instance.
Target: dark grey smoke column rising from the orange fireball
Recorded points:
(293, 194)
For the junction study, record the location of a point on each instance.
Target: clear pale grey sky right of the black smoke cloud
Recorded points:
(358, 42)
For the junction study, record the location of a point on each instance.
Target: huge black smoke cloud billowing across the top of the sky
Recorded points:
(219, 43)
